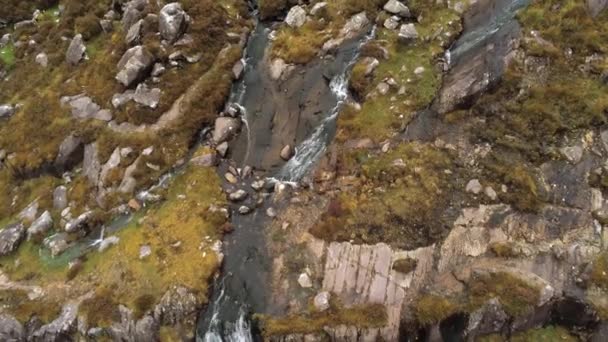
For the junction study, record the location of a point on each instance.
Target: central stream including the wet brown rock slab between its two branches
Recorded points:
(242, 288)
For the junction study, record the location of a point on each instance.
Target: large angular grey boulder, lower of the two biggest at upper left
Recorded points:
(134, 65)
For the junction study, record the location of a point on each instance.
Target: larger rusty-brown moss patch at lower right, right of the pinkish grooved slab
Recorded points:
(516, 296)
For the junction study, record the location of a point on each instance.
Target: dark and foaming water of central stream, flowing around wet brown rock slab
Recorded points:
(242, 287)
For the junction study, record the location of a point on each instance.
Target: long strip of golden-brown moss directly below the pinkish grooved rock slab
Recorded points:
(361, 316)
